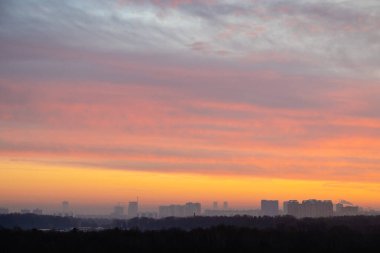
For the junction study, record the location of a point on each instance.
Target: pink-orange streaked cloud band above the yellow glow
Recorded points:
(140, 127)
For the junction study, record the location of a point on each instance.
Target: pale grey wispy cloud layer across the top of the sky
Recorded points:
(336, 36)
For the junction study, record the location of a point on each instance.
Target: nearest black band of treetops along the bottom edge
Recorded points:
(219, 239)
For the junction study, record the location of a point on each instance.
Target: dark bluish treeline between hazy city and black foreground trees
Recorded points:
(31, 221)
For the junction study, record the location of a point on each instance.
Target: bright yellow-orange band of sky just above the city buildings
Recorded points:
(36, 183)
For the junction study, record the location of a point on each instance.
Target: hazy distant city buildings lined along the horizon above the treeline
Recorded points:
(306, 208)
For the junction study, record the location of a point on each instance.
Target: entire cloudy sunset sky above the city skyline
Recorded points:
(187, 100)
